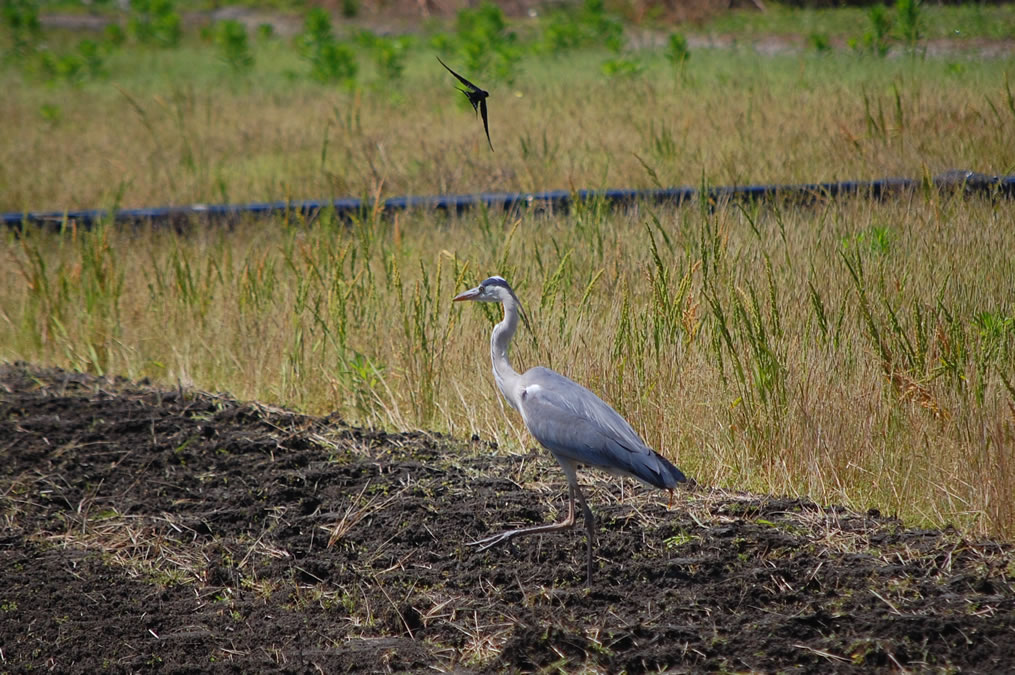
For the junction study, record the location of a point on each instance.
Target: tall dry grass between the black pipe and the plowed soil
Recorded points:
(359, 320)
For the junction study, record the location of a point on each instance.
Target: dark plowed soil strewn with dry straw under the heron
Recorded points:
(144, 528)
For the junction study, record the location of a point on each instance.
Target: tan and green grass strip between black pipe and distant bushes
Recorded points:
(179, 127)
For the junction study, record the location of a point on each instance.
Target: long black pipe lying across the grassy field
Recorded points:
(969, 182)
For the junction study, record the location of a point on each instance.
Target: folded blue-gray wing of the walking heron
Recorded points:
(575, 424)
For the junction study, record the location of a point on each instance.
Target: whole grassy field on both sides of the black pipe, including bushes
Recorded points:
(857, 353)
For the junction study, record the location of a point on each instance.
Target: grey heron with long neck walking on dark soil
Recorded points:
(575, 425)
